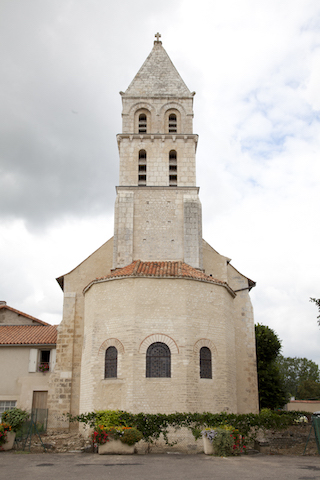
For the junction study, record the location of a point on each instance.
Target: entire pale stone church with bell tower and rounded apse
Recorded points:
(155, 320)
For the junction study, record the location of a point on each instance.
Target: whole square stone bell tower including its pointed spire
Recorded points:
(157, 210)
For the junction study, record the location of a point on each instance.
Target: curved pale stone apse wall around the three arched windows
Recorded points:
(182, 313)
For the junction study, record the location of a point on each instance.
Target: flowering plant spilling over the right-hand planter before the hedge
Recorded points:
(225, 439)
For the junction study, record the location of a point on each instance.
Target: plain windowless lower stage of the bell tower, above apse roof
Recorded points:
(158, 224)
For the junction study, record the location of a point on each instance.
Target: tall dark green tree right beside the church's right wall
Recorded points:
(271, 391)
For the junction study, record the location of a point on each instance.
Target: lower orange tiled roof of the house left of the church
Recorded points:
(28, 334)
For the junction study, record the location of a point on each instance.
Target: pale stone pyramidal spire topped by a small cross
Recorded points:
(158, 76)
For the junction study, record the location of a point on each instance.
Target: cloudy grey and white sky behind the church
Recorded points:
(255, 66)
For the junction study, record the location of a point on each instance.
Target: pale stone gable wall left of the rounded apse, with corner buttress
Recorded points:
(64, 387)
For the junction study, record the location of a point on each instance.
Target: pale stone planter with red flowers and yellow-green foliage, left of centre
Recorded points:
(115, 440)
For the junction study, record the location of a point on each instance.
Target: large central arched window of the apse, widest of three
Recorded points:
(158, 361)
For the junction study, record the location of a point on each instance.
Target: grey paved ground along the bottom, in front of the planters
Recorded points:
(80, 466)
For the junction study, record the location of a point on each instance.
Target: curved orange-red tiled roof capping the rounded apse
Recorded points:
(160, 270)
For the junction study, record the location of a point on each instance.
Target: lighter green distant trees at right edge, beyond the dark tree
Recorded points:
(294, 371)
